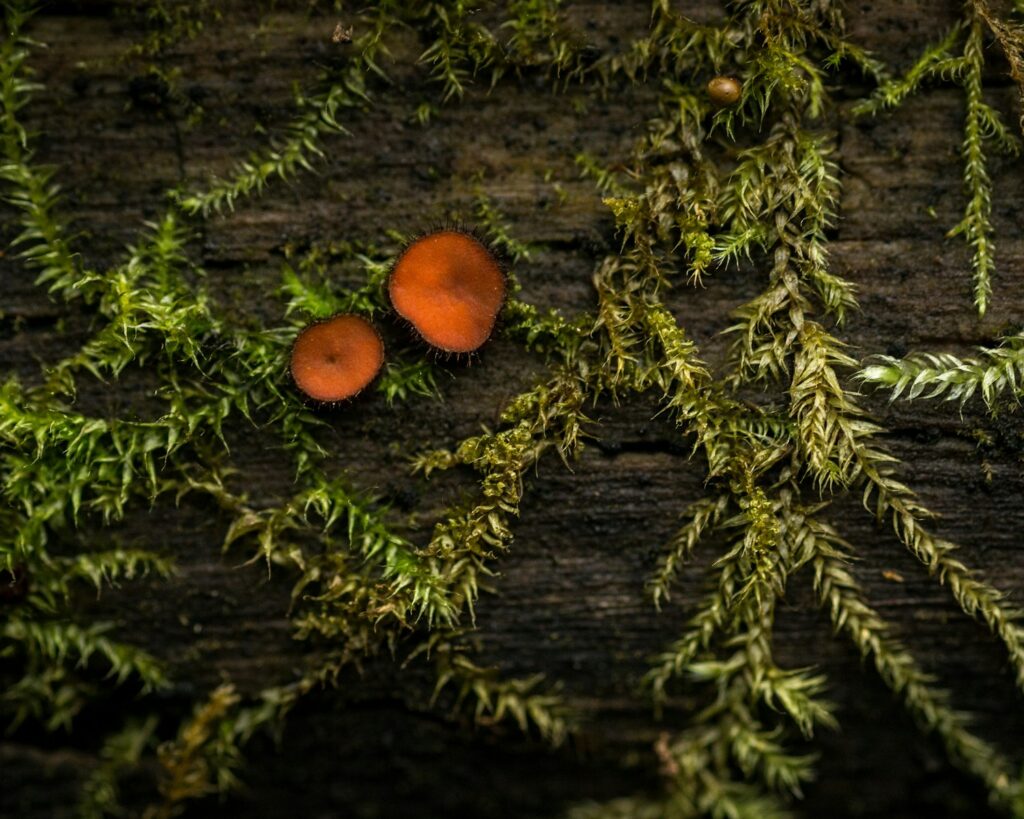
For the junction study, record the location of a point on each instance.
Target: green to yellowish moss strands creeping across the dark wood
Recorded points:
(691, 203)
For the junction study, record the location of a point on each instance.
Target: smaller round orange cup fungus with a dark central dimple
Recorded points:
(336, 359)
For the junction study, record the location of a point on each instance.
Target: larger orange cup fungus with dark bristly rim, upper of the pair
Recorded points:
(450, 287)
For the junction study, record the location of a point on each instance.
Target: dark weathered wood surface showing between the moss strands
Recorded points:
(569, 598)
